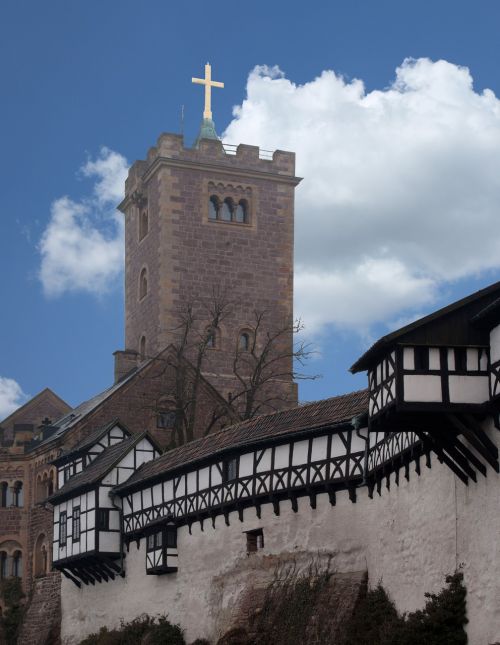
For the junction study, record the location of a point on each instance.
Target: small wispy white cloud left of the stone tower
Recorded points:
(82, 247)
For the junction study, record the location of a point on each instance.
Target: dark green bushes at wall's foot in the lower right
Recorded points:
(376, 621)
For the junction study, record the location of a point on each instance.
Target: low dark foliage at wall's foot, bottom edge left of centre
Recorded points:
(143, 630)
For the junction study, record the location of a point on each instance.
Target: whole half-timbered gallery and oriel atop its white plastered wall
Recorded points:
(383, 480)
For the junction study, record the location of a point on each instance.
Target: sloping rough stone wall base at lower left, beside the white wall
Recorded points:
(41, 625)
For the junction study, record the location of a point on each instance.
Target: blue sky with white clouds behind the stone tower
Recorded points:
(80, 76)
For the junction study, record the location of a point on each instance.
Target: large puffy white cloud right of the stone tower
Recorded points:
(401, 188)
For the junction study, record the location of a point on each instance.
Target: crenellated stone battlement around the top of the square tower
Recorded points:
(170, 149)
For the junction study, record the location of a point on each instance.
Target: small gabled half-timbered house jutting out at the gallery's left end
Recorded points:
(87, 543)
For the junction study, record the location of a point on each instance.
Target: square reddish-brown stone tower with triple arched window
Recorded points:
(209, 223)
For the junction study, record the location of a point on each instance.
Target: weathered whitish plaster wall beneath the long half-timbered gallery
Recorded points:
(409, 538)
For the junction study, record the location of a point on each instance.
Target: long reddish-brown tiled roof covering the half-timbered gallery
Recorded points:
(334, 411)
